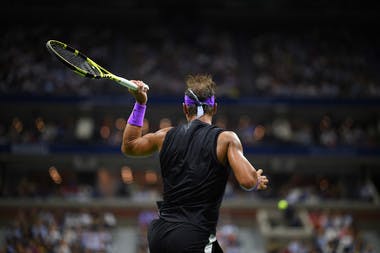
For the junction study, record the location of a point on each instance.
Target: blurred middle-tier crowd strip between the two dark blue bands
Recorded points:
(321, 131)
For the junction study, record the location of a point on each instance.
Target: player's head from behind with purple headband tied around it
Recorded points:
(199, 96)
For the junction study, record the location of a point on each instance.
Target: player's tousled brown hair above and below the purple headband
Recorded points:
(204, 87)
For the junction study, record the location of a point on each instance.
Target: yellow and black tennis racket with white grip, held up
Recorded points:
(84, 66)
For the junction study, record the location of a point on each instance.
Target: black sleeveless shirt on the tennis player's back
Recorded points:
(194, 180)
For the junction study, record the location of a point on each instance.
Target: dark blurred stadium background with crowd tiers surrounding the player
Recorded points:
(299, 83)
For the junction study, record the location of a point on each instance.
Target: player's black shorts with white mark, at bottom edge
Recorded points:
(172, 237)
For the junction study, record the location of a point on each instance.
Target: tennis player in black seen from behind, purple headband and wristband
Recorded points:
(196, 159)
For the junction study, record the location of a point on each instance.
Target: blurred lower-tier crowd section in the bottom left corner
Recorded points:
(45, 231)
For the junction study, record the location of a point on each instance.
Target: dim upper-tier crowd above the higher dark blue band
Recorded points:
(315, 63)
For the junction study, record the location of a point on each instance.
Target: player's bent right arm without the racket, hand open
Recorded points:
(230, 151)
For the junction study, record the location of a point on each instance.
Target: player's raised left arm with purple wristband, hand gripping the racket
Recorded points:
(133, 142)
